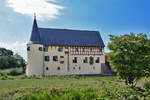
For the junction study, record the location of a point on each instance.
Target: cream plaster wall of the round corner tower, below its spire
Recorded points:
(34, 60)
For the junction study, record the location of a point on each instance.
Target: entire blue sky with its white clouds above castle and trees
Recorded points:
(114, 17)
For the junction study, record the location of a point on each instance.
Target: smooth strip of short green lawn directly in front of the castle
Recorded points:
(61, 82)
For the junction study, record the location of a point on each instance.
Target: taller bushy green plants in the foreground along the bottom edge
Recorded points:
(107, 93)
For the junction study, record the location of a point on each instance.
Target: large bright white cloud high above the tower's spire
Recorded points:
(44, 9)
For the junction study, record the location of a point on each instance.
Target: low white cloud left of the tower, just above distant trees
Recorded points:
(16, 47)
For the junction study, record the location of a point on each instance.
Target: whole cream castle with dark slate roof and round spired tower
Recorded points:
(64, 52)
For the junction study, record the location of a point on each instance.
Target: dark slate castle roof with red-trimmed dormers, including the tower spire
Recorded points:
(49, 36)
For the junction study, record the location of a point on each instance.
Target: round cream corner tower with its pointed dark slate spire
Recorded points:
(35, 53)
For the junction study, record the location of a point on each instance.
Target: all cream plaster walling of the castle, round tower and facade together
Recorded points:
(37, 65)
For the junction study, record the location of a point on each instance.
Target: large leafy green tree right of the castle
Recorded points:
(130, 55)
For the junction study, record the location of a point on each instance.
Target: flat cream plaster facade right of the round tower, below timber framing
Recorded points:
(86, 68)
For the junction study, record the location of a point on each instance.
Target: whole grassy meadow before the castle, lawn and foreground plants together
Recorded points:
(71, 88)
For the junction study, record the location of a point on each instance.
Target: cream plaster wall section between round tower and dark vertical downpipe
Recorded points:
(53, 65)
